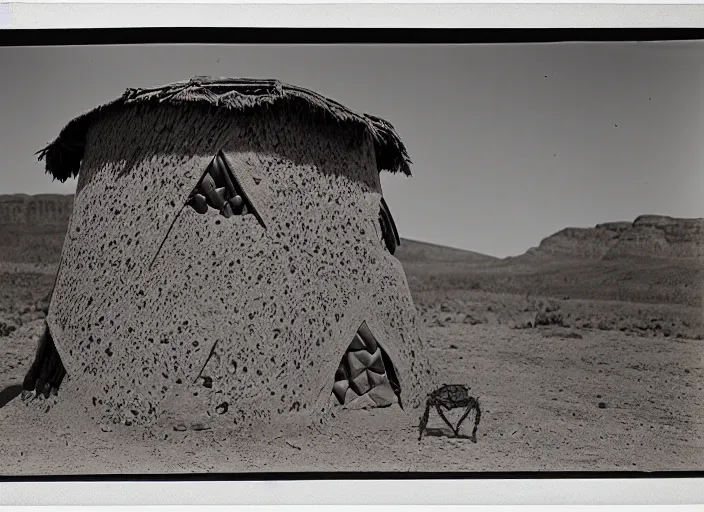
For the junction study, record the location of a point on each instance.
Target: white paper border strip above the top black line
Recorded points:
(312, 14)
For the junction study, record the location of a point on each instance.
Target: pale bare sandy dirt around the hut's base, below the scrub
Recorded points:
(540, 391)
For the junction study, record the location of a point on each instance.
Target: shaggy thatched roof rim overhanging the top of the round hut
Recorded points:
(63, 156)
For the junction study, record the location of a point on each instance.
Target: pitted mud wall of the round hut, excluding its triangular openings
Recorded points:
(160, 309)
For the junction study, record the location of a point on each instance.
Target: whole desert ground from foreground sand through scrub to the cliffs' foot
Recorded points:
(581, 363)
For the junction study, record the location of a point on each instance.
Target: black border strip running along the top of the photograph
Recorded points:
(251, 35)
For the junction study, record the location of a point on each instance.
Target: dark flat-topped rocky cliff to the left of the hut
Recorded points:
(32, 228)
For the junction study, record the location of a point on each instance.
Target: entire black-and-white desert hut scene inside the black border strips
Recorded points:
(351, 258)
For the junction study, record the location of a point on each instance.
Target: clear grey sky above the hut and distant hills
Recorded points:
(510, 143)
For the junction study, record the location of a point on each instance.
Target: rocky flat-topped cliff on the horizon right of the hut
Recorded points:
(649, 237)
